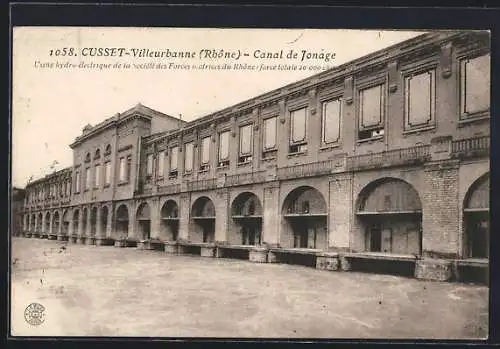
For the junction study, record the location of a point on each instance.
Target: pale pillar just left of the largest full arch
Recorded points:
(341, 211)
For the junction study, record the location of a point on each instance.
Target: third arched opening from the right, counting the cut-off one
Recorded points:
(304, 223)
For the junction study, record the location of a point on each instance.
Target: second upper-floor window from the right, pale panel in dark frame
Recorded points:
(420, 99)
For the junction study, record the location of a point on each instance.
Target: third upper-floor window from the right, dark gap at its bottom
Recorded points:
(371, 112)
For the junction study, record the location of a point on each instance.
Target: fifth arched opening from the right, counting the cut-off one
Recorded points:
(203, 220)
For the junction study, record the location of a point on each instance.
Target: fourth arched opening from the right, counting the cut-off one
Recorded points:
(246, 212)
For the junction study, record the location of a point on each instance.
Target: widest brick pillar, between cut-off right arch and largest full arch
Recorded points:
(441, 213)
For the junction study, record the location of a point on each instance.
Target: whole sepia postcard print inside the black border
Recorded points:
(250, 183)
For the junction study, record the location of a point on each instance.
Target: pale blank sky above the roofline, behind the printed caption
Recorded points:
(51, 106)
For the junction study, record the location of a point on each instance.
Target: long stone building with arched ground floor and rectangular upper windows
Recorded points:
(382, 159)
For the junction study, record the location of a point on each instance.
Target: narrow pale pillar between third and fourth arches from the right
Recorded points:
(272, 216)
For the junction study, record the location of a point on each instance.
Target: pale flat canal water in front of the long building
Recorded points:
(109, 291)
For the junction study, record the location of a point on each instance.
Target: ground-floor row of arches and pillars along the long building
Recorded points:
(405, 215)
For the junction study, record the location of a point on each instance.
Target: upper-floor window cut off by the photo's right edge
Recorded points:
(474, 86)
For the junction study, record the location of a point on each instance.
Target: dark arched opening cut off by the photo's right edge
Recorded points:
(476, 219)
